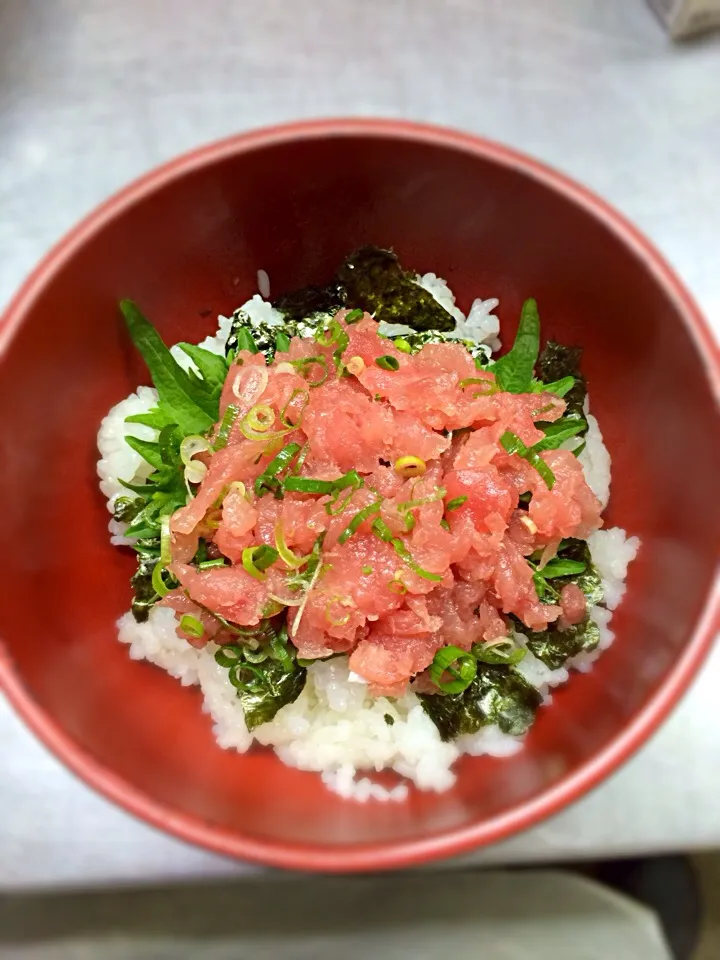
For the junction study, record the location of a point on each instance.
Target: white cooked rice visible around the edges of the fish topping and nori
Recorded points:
(334, 727)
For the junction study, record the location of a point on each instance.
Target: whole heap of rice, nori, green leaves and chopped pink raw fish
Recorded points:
(325, 562)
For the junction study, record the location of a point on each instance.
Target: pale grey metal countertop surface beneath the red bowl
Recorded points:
(94, 92)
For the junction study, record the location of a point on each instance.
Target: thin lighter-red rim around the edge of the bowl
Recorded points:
(382, 855)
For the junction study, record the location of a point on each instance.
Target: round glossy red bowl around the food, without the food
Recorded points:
(186, 242)
